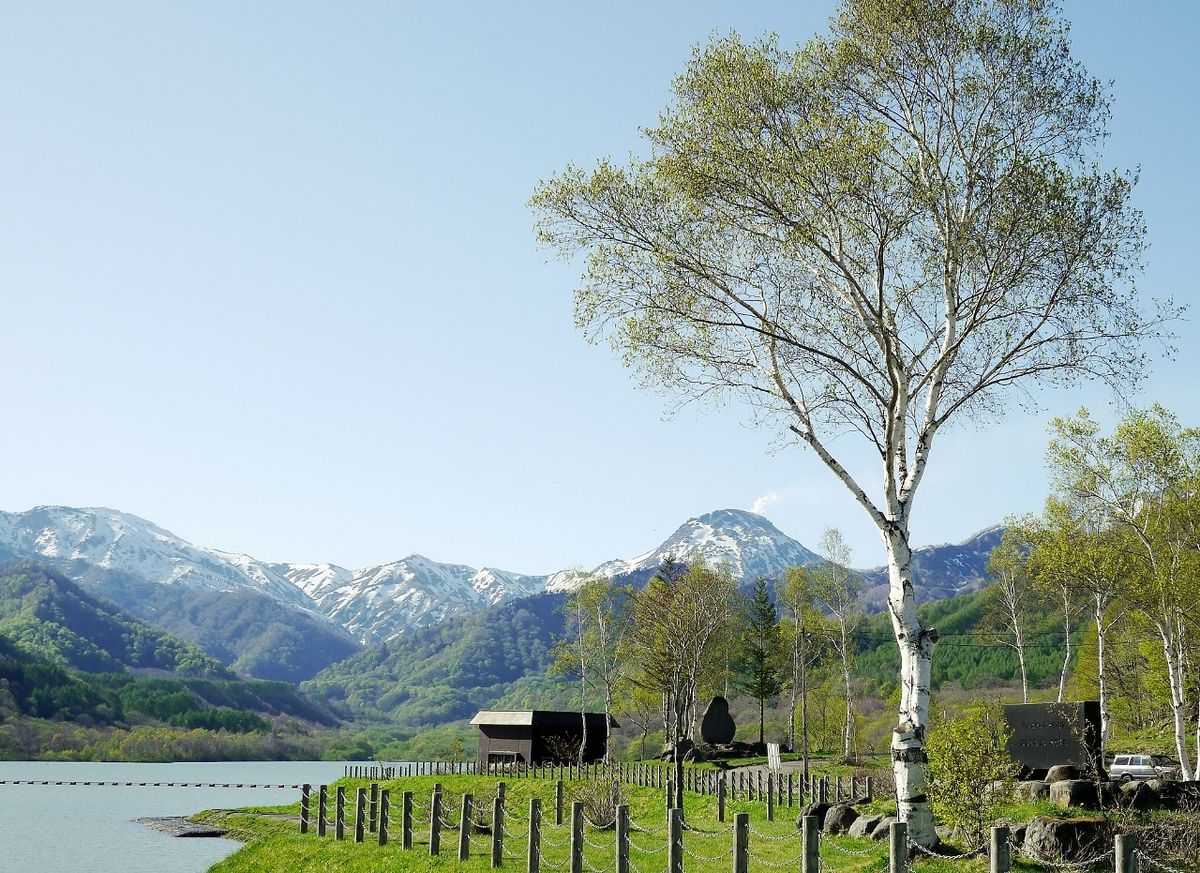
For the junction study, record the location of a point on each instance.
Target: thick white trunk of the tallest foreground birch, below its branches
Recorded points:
(910, 763)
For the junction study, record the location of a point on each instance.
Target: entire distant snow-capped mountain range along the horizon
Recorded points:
(104, 547)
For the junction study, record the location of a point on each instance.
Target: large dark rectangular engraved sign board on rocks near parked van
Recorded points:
(1046, 734)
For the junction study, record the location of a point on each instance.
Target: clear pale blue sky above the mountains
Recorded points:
(268, 279)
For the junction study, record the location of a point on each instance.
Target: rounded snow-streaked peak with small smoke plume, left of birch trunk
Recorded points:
(752, 546)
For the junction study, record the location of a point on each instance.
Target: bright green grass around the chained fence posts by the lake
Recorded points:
(274, 844)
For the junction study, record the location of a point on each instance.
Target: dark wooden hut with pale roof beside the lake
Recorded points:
(539, 737)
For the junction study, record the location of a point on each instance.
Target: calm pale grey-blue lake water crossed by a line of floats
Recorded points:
(89, 829)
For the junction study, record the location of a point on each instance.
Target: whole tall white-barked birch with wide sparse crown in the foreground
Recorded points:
(891, 228)
